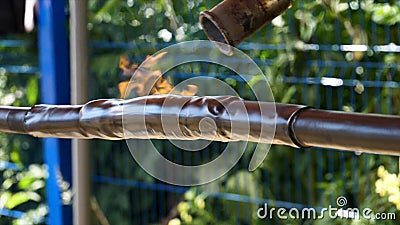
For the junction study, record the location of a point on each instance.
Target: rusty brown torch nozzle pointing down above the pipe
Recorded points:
(232, 21)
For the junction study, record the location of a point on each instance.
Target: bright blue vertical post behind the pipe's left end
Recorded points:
(55, 89)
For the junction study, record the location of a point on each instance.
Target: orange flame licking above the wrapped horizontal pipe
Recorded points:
(147, 81)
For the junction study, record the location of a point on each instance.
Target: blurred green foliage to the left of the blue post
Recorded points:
(22, 183)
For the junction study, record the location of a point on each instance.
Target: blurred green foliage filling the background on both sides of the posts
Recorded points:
(315, 177)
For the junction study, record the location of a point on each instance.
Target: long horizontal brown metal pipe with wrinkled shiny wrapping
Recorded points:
(297, 126)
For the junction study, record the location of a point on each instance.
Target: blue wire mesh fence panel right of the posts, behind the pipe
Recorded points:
(337, 55)
